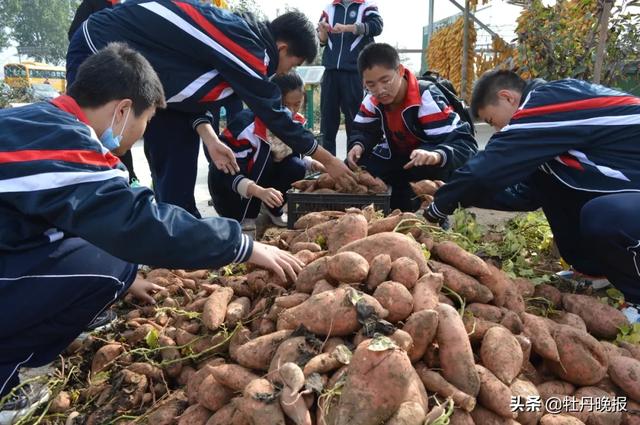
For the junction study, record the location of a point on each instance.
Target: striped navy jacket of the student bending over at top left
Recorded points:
(203, 55)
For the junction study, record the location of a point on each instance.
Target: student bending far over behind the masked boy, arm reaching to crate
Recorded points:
(203, 55)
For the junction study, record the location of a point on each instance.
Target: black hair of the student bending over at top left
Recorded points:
(295, 29)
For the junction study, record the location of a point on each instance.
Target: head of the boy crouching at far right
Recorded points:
(496, 97)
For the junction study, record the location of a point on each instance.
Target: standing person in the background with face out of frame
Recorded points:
(345, 28)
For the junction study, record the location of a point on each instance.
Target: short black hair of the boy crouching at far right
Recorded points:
(485, 91)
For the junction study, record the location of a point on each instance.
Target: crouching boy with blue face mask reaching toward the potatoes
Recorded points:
(72, 230)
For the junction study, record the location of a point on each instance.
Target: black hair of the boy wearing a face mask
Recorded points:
(117, 72)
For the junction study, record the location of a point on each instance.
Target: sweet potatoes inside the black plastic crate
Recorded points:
(366, 184)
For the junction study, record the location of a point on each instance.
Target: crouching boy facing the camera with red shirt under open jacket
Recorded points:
(405, 129)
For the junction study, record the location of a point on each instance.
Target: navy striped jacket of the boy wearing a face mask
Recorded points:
(57, 181)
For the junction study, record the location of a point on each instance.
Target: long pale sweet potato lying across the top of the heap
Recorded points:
(395, 244)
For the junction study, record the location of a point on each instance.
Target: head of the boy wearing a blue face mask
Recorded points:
(117, 88)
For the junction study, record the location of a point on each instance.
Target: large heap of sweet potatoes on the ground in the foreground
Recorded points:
(370, 333)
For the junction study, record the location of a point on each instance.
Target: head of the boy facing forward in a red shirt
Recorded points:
(379, 66)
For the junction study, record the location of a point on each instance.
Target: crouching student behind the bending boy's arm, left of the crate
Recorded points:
(268, 166)
